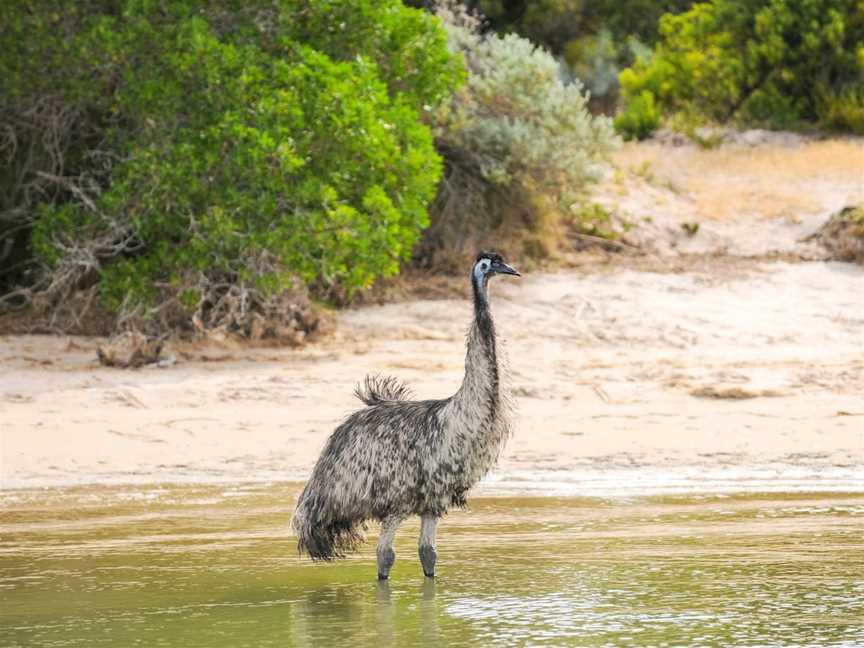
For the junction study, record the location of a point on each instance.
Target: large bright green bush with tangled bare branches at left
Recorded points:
(201, 151)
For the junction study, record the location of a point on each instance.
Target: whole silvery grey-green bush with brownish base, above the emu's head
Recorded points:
(518, 143)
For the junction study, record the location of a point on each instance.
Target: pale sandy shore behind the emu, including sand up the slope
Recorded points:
(725, 374)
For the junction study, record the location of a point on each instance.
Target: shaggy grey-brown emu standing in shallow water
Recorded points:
(398, 457)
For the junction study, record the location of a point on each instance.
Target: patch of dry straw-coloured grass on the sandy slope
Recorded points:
(768, 181)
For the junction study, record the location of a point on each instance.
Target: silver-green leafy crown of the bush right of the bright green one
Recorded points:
(517, 116)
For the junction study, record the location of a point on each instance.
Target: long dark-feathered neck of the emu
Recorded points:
(478, 398)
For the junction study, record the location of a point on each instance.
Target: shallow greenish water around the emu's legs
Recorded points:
(214, 566)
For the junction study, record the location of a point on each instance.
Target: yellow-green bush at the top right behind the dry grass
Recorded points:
(774, 63)
